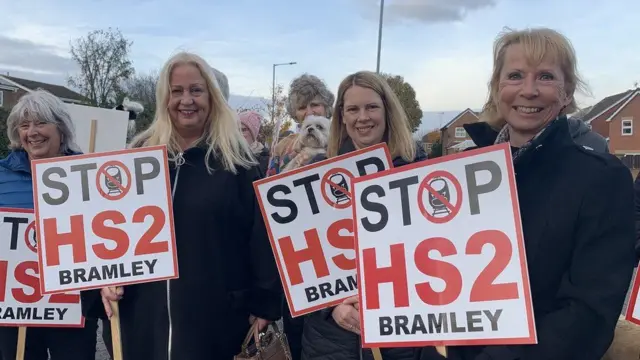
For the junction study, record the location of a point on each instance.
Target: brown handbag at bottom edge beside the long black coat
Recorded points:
(272, 345)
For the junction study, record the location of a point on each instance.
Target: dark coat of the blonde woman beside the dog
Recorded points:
(323, 339)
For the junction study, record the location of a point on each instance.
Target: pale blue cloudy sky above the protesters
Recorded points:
(442, 47)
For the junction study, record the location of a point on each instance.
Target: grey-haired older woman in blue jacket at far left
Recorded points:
(39, 127)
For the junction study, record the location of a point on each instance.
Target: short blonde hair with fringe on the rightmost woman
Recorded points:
(538, 44)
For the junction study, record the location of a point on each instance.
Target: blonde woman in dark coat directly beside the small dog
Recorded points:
(367, 112)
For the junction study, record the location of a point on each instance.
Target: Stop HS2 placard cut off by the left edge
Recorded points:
(21, 303)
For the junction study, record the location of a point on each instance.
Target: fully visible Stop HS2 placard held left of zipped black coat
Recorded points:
(104, 219)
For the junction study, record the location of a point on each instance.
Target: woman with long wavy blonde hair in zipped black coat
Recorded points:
(228, 275)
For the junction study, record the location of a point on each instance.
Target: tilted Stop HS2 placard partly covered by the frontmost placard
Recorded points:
(309, 220)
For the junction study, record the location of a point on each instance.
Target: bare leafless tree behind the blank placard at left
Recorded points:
(103, 59)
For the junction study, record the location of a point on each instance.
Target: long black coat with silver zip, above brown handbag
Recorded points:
(226, 266)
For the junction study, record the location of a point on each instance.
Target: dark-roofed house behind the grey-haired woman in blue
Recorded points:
(12, 88)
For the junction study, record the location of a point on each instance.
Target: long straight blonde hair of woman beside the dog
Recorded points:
(397, 134)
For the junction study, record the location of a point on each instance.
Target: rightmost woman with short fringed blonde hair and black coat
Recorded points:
(576, 204)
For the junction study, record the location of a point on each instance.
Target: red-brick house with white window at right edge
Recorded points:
(617, 118)
